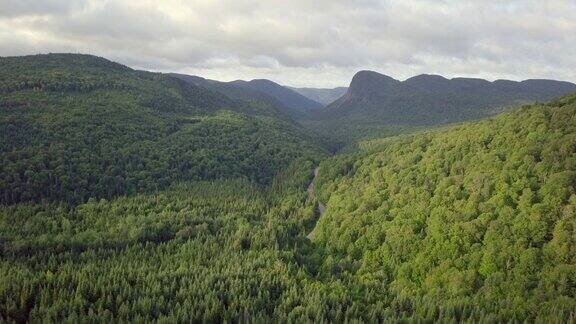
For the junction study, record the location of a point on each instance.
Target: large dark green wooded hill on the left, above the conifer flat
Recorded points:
(77, 127)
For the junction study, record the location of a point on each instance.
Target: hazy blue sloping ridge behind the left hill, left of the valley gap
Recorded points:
(261, 93)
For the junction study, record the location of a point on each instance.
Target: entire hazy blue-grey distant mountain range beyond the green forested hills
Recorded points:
(378, 105)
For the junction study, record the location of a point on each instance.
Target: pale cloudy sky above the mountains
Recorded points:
(318, 43)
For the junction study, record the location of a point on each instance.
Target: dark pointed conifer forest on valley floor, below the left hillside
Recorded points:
(216, 251)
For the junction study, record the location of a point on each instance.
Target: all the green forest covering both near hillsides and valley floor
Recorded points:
(131, 196)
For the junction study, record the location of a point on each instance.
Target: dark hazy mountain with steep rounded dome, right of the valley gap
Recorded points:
(376, 105)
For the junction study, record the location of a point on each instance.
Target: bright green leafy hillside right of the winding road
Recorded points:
(481, 215)
